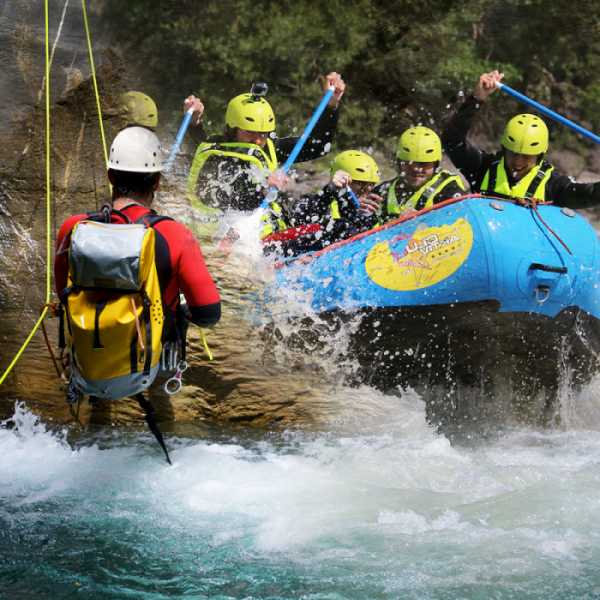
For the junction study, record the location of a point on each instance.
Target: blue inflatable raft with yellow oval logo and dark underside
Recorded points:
(471, 291)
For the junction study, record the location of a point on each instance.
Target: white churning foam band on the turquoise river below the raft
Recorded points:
(361, 481)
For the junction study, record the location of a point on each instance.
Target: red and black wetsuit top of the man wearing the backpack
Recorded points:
(179, 263)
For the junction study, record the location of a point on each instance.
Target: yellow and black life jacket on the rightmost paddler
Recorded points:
(533, 185)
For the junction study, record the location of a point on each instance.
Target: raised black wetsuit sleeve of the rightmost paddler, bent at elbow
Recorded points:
(472, 163)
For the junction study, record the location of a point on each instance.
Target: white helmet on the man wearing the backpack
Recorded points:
(136, 149)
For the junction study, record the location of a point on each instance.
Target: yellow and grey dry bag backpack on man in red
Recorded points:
(113, 307)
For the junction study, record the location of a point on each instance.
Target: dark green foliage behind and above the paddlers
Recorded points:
(405, 62)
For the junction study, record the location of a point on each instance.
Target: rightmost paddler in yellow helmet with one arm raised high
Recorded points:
(519, 169)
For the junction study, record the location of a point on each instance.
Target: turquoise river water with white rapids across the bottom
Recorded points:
(361, 507)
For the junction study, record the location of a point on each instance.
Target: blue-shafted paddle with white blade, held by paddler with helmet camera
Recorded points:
(251, 223)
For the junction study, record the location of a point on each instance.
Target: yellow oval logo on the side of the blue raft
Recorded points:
(431, 255)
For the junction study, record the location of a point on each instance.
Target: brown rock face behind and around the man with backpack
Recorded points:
(249, 379)
